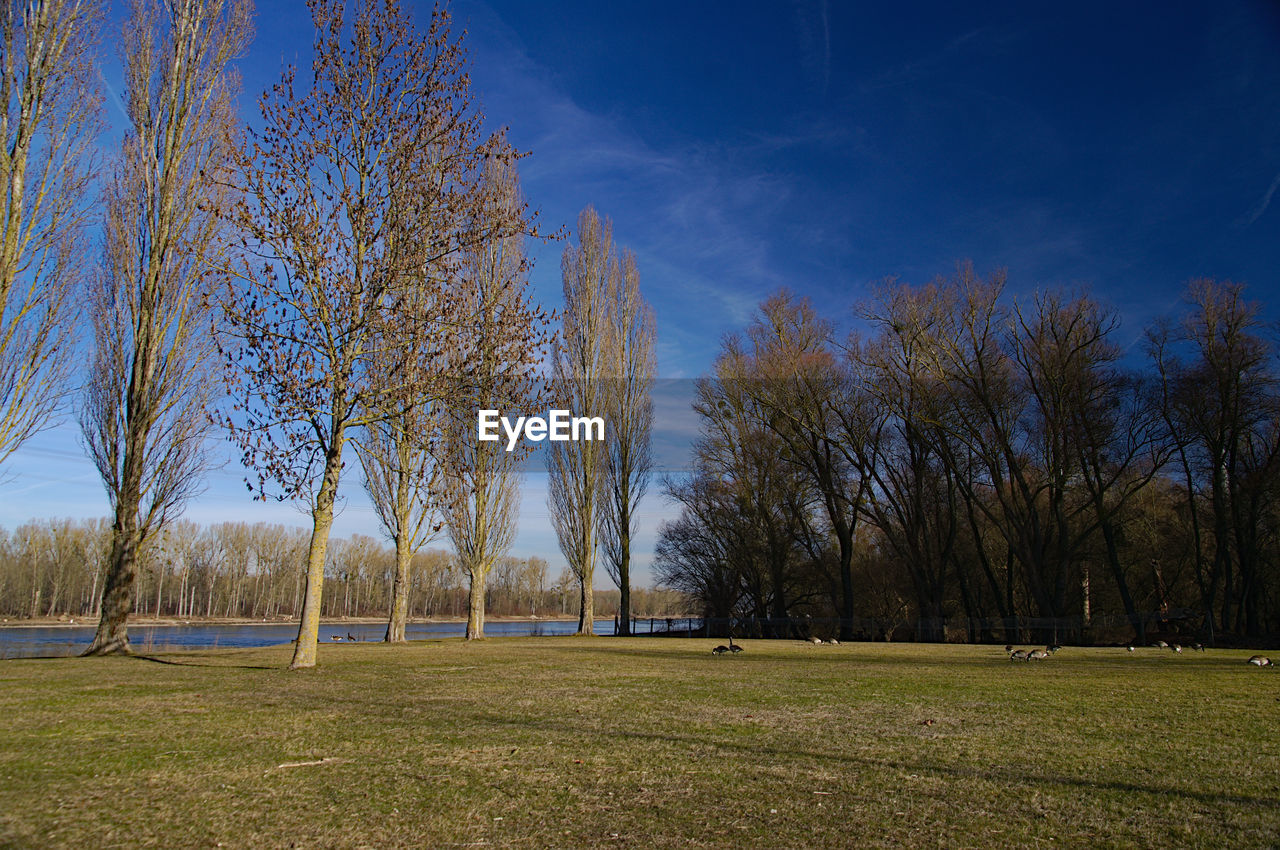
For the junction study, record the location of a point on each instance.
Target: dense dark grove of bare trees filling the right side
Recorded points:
(989, 464)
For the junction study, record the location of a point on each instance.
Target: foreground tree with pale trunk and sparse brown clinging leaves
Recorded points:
(385, 136)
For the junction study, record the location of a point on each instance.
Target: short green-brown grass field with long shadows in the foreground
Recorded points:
(561, 742)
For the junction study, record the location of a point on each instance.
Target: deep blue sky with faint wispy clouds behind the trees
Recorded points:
(740, 148)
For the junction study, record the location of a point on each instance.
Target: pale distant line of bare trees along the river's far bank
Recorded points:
(56, 568)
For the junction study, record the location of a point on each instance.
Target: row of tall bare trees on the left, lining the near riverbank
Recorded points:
(348, 273)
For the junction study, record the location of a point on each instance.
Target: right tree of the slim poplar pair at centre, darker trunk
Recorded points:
(629, 409)
